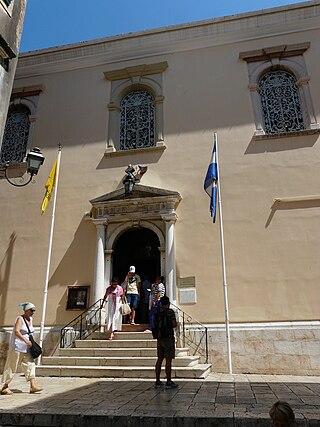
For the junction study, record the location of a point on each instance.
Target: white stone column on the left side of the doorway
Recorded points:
(98, 284)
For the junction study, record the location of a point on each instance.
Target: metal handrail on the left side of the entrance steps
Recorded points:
(82, 326)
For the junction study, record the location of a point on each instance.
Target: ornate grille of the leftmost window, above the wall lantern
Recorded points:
(16, 134)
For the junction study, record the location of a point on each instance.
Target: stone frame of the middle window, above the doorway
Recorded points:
(141, 77)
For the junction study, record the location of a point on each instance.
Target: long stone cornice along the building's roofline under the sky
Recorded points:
(152, 43)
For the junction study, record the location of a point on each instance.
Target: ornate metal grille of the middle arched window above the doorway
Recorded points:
(137, 121)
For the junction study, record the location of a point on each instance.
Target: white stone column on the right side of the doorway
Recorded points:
(170, 220)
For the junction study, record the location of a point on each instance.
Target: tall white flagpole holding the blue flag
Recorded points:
(225, 288)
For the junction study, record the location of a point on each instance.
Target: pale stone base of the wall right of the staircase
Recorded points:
(284, 350)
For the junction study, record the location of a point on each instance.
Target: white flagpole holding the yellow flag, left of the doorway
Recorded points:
(45, 291)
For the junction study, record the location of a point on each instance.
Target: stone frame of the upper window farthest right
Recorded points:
(288, 58)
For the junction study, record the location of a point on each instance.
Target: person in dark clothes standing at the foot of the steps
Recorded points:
(162, 330)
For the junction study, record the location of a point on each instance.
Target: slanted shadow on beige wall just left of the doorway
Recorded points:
(75, 268)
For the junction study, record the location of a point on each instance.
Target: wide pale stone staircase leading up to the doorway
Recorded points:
(132, 354)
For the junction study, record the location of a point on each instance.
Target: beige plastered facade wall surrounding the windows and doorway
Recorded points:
(271, 251)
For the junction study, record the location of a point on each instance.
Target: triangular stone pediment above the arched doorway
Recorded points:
(144, 203)
